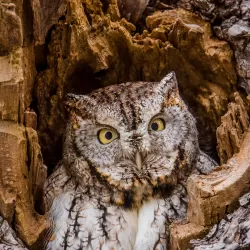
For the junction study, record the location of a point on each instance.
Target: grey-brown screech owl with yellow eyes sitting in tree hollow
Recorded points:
(128, 151)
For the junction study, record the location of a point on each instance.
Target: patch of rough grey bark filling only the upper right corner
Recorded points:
(230, 20)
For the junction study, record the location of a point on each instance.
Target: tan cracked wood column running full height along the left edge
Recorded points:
(22, 173)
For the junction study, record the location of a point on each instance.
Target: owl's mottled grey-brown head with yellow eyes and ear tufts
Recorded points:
(133, 135)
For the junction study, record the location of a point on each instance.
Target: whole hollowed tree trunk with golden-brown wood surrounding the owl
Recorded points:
(50, 48)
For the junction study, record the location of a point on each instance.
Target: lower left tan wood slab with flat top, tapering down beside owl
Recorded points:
(16, 187)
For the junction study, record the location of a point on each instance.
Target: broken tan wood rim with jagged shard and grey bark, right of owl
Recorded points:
(213, 196)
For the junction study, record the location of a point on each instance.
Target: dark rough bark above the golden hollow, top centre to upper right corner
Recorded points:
(229, 19)
